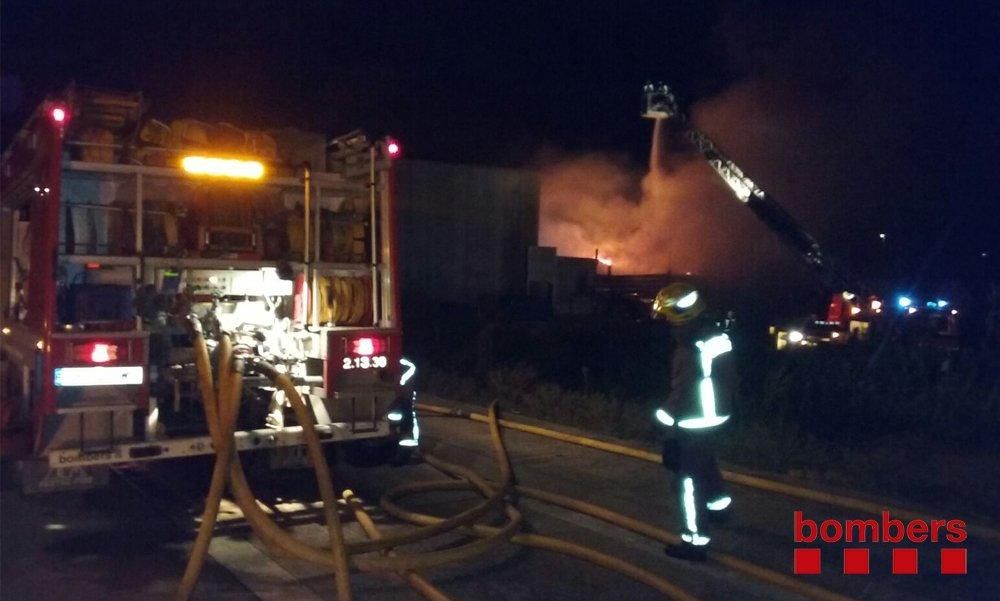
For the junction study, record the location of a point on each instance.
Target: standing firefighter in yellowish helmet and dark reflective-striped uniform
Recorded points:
(700, 387)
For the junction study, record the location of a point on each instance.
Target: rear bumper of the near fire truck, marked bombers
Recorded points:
(249, 440)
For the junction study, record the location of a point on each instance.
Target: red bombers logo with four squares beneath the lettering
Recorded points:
(905, 559)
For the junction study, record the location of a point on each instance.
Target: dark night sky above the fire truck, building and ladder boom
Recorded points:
(875, 116)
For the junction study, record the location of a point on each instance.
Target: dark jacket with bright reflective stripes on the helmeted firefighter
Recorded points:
(702, 384)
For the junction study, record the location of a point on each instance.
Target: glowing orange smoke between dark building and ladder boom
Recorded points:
(675, 216)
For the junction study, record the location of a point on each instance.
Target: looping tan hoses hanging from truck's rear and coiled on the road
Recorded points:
(221, 408)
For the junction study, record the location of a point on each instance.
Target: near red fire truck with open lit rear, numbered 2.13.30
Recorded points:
(115, 227)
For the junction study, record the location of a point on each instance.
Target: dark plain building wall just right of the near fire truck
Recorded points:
(465, 230)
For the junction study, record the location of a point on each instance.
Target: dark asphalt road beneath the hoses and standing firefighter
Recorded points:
(130, 540)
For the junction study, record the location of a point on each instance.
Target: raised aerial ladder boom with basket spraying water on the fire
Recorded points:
(660, 103)
